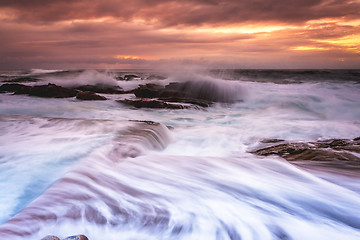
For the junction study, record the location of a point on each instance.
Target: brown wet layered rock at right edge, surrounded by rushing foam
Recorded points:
(340, 153)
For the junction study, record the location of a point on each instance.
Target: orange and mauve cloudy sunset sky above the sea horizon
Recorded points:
(123, 34)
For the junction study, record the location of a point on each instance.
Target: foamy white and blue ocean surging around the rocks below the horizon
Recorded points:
(113, 171)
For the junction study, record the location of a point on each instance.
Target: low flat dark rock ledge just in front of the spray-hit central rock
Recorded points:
(144, 103)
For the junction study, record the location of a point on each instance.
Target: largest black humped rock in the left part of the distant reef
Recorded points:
(47, 91)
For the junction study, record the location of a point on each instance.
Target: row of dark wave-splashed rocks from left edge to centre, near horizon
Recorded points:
(172, 96)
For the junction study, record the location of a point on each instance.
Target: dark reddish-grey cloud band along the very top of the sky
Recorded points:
(185, 12)
